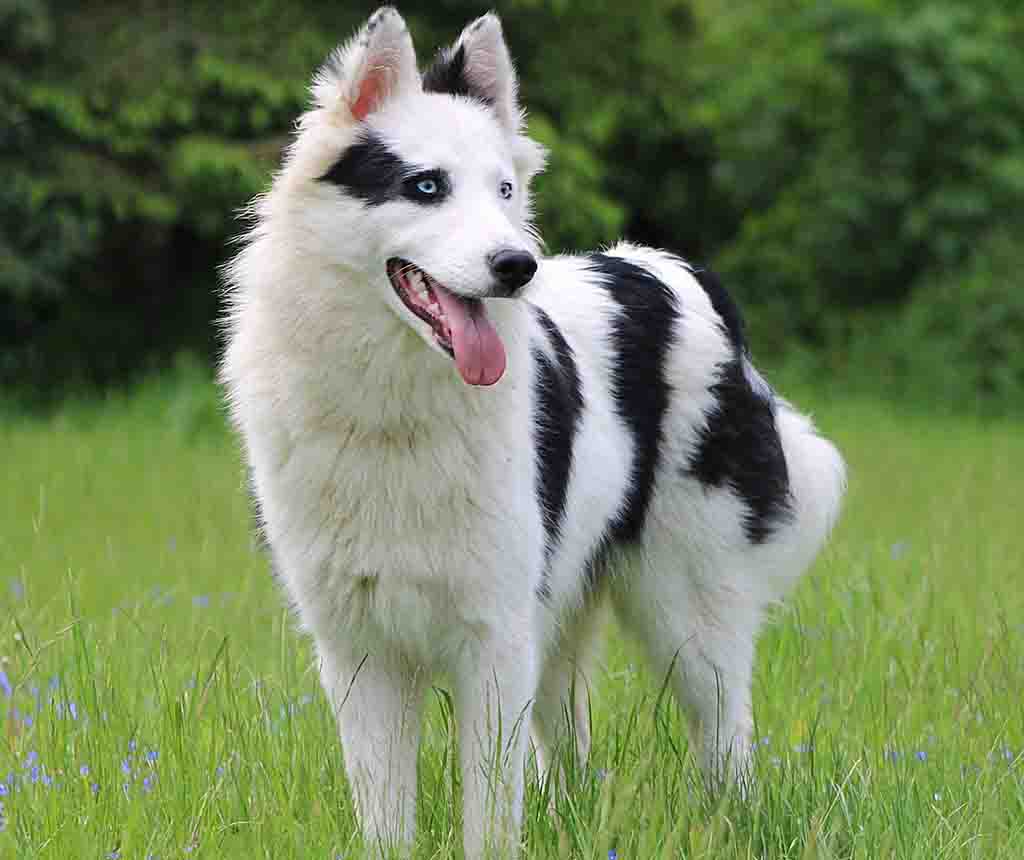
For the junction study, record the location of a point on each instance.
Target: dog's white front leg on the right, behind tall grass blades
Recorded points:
(495, 686)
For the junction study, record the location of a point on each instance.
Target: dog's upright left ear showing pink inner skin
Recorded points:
(377, 64)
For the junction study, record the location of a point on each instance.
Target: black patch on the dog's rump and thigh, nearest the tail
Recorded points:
(740, 447)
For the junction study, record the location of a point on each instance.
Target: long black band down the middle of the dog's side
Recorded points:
(643, 333)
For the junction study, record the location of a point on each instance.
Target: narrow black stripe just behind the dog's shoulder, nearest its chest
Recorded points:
(559, 410)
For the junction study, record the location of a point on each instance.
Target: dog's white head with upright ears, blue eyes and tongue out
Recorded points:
(420, 184)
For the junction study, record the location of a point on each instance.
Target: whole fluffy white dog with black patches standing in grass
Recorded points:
(462, 450)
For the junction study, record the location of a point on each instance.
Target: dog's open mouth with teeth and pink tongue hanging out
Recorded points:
(460, 326)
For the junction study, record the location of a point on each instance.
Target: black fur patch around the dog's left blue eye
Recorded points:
(371, 171)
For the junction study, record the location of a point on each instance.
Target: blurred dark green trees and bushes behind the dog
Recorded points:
(855, 168)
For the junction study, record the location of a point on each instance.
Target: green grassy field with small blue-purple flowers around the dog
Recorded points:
(158, 704)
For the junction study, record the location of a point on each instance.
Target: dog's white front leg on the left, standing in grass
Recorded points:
(377, 700)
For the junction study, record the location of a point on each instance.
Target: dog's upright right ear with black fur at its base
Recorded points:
(479, 65)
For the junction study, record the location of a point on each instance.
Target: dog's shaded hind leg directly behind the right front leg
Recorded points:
(562, 709)
